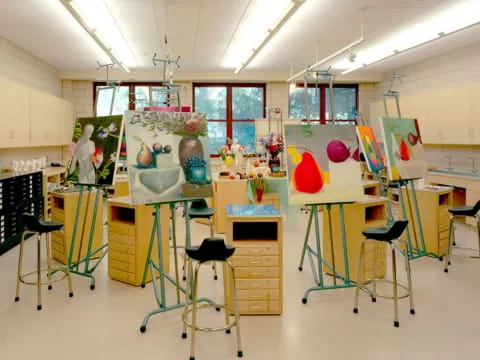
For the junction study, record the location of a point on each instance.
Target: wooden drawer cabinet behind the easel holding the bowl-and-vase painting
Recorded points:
(129, 231)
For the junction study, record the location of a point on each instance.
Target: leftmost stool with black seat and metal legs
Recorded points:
(39, 227)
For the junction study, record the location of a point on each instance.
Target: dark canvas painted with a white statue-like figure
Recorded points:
(94, 149)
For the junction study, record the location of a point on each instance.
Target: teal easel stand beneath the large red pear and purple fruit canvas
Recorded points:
(318, 277)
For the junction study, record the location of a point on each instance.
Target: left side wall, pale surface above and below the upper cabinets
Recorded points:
(21, 66)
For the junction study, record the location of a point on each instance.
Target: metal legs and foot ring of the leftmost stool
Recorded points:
(21, 278)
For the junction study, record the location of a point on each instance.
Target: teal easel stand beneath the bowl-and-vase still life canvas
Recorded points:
(159, 289)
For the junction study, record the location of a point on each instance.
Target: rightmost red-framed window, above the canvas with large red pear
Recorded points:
(345, 96)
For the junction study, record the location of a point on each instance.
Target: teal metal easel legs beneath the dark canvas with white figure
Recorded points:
(75, 265)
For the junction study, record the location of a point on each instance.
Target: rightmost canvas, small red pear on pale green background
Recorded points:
(403, 148)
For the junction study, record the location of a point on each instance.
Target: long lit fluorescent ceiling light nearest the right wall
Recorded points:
(446, 19)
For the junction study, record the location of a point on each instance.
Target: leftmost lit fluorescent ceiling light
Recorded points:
(97, 20)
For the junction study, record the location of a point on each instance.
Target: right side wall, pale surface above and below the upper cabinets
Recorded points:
(451, 69)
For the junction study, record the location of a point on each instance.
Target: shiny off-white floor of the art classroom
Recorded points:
(104, 323)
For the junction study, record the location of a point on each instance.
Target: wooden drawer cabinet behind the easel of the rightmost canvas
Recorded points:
(433, 203)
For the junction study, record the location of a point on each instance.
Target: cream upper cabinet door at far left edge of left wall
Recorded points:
(14, 114)
